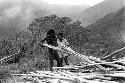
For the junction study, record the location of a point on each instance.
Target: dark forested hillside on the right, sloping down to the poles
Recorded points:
(105, 35)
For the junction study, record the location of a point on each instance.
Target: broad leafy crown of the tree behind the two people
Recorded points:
(39, 25)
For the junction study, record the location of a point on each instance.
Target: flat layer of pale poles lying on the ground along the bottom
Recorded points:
(70, 77)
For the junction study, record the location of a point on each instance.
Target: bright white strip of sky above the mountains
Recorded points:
(74, 2)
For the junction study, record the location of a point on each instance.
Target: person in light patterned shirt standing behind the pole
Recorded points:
(62, 42)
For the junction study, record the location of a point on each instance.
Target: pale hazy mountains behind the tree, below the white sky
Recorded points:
(17, 14)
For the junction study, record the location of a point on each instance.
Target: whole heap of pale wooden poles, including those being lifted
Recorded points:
(79, 77)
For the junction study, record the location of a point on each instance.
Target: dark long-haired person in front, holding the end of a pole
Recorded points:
(51, 39)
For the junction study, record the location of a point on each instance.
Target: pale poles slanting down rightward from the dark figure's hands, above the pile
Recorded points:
(89, 60)
